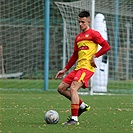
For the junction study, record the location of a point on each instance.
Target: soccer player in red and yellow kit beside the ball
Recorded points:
(85, 52)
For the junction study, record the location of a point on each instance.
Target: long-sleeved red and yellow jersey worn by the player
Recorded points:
(86, 45)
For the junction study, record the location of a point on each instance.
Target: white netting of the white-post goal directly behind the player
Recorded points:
(119, 22)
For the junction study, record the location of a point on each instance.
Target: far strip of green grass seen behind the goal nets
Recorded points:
(25, 84)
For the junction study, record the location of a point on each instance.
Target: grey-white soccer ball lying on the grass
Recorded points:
(51, 117)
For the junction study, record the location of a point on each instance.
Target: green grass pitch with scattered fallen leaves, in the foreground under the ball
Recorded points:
(23, 112)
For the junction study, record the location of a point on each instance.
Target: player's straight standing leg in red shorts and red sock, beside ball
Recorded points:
(77, 83)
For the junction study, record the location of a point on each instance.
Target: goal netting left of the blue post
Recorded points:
(21, 42)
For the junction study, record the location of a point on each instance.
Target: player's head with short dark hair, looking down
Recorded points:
(84, 20)
